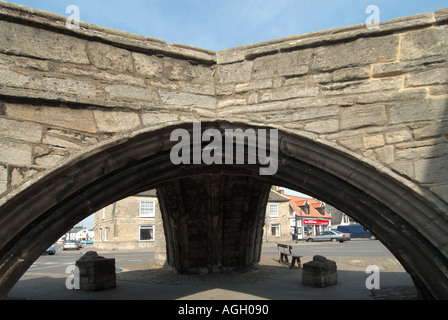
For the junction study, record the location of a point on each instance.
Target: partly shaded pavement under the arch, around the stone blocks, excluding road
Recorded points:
(270, 281)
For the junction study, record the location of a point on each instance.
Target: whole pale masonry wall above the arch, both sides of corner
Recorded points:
(379, 93)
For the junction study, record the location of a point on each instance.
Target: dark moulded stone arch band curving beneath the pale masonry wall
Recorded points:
(388, 205)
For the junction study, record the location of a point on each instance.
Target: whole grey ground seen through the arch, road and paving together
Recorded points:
(46, 278)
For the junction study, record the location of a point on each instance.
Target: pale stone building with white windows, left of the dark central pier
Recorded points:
(131, 223)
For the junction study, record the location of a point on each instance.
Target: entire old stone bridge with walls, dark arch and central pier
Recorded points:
(360, 117)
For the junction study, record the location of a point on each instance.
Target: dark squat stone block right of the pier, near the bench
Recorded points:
(320, 272)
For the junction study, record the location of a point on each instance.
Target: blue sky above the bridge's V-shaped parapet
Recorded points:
(222, 24)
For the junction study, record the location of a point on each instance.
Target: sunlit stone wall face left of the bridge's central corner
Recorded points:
(62, 92)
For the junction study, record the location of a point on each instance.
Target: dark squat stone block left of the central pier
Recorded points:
(96, 272)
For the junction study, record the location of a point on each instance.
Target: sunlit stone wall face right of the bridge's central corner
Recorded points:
(381, 94)
